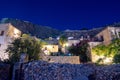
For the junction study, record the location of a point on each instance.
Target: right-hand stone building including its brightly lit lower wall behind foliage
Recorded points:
(107, 35)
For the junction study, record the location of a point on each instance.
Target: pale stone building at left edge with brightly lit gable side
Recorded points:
(7, 34)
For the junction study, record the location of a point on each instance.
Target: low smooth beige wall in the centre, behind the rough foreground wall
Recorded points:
(62, 59)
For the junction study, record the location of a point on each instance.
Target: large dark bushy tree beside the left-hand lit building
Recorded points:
(24, 44)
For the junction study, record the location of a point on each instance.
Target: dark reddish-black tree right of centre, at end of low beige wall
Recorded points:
(81, 49)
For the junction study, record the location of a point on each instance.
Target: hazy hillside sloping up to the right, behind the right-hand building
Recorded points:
(84, 32)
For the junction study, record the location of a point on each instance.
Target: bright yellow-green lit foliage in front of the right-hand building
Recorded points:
(111, 50)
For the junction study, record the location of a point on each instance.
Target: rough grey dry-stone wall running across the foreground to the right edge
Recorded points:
(41, 70)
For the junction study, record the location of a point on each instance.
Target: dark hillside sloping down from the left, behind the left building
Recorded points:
(32, 29)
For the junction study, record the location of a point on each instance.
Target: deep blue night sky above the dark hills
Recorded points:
(63, 14)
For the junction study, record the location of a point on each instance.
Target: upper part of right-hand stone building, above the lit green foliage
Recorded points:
(108, 34)
